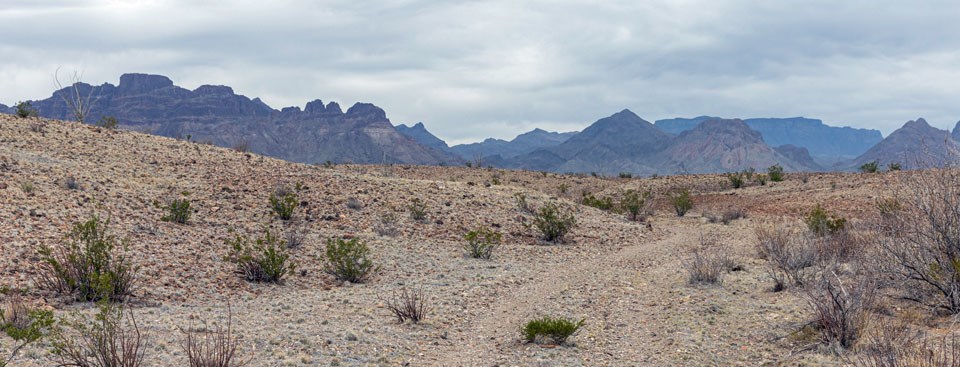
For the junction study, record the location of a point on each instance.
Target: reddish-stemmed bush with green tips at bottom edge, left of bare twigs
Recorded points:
(112, 339)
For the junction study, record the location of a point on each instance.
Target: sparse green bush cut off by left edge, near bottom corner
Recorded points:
(23, 324)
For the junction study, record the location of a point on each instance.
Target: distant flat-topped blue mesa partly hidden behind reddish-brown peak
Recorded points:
(827, 144)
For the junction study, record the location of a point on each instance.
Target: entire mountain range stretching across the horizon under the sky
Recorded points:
(620, 143)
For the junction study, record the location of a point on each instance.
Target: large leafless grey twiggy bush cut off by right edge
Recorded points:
(924, 241)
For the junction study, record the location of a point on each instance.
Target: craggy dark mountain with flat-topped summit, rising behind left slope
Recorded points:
(216, 114)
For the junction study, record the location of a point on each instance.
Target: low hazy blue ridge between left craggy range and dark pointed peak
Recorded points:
(522, 144)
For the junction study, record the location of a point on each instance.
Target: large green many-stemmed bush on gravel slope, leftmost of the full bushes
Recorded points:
(88, 265)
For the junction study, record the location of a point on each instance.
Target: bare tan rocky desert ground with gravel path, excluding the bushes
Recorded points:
(626, 279)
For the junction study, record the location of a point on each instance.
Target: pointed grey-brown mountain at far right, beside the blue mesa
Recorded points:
(915, 145)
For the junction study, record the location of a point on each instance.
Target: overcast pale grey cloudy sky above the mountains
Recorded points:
(476, 69)
